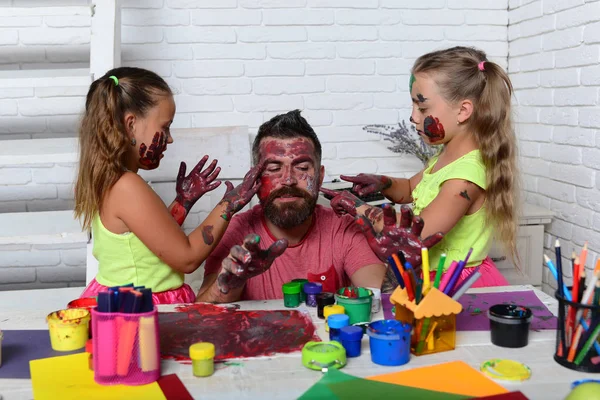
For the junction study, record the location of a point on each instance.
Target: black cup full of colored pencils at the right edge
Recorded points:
(578, 327)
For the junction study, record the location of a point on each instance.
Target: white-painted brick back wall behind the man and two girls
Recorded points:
(345, 63)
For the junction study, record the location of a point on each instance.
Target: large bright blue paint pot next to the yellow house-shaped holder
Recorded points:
(389, 341)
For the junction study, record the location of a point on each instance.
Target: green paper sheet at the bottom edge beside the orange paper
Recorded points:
(336, 385)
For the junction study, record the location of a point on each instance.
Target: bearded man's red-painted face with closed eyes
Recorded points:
(290, 181)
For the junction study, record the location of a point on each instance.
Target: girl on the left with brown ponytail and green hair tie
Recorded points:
(137, 239)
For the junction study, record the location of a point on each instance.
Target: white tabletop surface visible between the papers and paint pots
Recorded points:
(284, 377)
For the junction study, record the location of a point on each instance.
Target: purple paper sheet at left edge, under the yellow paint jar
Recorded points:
(21, 346)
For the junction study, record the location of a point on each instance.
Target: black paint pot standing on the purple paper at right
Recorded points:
(509, 325)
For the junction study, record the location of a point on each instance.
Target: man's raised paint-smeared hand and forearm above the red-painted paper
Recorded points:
(244, 262)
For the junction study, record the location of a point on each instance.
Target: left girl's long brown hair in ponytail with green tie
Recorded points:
(104, 143)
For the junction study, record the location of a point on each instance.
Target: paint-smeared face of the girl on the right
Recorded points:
(431, 114)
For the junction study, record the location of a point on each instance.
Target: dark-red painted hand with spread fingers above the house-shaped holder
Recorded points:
(405, 238)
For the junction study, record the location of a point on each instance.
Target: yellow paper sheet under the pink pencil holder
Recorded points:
(69, 378)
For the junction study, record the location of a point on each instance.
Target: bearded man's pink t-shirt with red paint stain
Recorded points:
(333, 249)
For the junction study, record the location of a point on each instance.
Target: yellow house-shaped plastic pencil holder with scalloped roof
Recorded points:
(433, 319)
